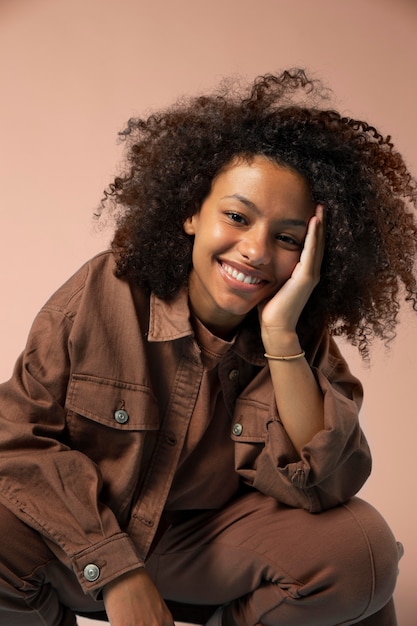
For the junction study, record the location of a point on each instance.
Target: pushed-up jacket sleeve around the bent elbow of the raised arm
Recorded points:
(335, 464)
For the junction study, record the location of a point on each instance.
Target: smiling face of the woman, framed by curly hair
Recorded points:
(248, 237)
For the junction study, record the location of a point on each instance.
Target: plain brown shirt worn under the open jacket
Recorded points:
(205, 477)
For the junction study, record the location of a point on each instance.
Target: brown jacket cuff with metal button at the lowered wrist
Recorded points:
(100, 564)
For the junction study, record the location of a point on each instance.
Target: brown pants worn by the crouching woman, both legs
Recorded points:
(267, 564)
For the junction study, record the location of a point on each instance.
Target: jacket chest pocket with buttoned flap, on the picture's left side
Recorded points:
(116, 425)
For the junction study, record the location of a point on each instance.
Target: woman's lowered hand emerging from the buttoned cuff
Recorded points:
(133, 600)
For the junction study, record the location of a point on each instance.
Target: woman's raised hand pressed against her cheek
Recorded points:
(279, 315)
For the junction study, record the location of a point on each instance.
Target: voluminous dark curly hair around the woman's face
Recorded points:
(369, 195)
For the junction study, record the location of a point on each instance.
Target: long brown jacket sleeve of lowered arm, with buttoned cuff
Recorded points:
(48, 485)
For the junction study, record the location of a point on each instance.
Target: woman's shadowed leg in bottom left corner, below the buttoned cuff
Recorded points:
(35, 588)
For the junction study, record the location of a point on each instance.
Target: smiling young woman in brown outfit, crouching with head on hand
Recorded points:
(180, 438)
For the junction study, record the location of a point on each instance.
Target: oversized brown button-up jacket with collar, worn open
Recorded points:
(87, 452)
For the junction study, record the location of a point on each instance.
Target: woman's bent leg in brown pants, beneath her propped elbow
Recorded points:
(277, 566)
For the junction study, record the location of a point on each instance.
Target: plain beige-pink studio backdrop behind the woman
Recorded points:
(73, 71)
